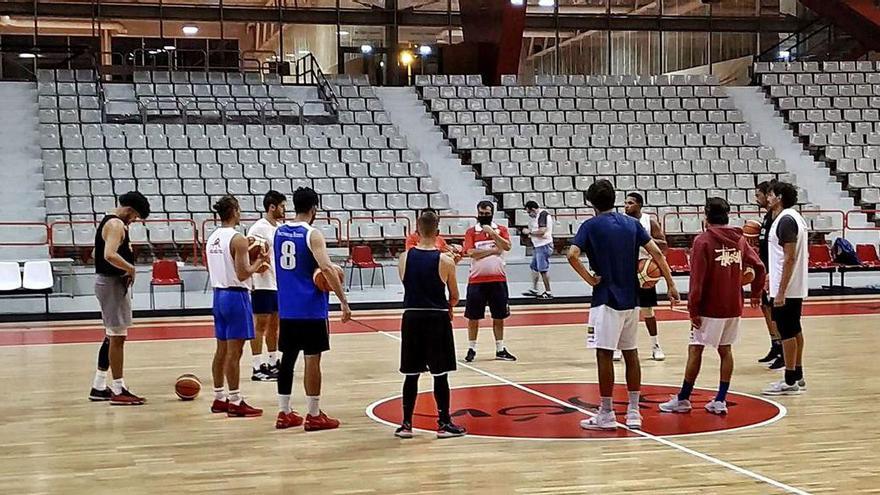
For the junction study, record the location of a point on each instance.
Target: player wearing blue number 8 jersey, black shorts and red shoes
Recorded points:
(300, 249)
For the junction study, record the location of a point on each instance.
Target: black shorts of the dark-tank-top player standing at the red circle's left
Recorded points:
(426, 343)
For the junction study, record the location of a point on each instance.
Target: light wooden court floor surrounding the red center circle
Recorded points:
(55, 441)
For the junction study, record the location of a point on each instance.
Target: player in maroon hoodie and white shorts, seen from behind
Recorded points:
(715, 301)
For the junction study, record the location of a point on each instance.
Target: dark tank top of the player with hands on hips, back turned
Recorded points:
(422, 286)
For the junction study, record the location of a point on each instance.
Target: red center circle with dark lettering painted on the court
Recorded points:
(510, 412)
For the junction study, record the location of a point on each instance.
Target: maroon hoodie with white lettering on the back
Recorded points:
(718, 257)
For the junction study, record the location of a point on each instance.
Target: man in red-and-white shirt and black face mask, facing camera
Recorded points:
(486, 243)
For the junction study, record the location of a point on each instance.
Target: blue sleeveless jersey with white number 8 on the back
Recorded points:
(298, 298)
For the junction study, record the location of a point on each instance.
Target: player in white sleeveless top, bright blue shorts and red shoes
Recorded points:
(230, 270)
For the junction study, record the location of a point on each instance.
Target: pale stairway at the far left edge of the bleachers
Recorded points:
(21, 189)
